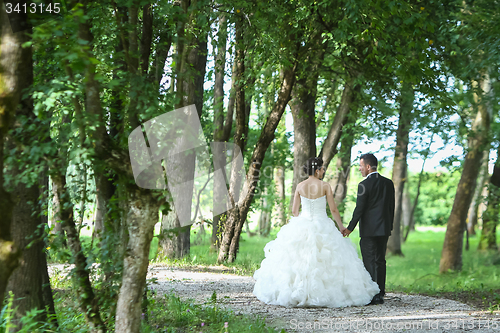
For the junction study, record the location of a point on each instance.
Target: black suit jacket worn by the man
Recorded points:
(374, 207)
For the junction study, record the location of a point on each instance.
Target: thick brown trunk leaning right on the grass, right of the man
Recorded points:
(451, 257)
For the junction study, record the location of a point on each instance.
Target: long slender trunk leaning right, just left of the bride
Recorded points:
(237, 215)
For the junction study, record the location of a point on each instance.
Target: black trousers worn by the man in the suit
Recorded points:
(373, 252)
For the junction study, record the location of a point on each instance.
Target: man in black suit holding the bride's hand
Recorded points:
(375, 213)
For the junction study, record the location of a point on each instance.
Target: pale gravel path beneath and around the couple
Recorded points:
(399, 313)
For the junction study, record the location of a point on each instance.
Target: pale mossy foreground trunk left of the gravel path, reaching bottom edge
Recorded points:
(141, 219)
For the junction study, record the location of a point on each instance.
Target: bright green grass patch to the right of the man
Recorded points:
(418, 271)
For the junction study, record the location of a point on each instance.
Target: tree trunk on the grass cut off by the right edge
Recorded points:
(488, 240)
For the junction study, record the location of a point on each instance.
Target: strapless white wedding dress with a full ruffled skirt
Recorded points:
(310, 264)
